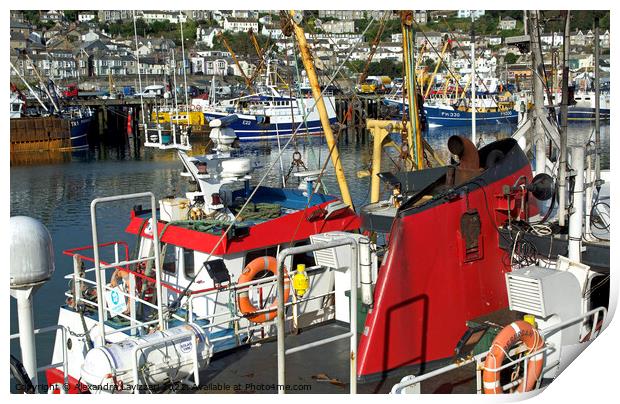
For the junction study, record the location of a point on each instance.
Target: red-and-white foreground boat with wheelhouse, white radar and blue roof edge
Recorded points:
(218, 249)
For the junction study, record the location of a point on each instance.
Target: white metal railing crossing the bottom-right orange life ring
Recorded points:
(411, 384)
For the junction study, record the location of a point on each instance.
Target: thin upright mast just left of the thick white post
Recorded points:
(564, 128)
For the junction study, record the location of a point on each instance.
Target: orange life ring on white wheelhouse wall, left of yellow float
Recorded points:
(246, 307)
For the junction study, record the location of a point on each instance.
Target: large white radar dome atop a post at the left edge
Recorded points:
(32, 253)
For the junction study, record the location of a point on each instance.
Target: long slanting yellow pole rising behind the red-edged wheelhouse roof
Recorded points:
(306, 58)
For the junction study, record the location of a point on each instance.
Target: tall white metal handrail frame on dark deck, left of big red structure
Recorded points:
(352, 334)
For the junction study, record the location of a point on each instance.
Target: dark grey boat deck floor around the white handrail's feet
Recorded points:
(323, 369)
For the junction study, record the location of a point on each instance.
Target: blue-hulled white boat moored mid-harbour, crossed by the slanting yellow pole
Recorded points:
(268, 115)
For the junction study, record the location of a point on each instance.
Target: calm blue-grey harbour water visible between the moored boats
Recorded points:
(57, 188)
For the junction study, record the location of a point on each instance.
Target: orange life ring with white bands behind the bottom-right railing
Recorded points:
(517, 331)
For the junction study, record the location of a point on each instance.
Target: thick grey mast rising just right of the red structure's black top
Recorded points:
(538, 138)
